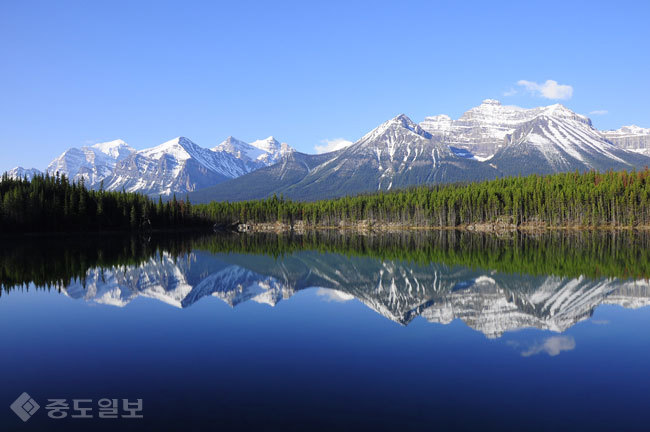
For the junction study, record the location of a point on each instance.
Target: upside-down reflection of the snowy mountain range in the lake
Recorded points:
(489, 302)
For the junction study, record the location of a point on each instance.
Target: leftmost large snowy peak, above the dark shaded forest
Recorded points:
(92, 163)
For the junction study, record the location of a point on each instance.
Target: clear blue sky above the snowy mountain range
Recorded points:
(305, 72)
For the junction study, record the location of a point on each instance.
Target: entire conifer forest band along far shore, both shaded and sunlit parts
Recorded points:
(591, 199)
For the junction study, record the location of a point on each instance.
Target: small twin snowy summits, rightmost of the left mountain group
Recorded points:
(258, 154)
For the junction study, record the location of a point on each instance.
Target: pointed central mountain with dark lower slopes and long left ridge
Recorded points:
(397, 154)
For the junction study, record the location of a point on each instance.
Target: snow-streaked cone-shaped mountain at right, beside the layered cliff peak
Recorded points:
(559, 140)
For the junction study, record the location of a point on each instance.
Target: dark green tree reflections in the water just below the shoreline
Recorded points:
(54, 261)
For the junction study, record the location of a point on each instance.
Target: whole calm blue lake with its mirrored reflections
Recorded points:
(442, 330)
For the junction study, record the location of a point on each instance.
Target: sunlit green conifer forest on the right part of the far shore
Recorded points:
(588, 199)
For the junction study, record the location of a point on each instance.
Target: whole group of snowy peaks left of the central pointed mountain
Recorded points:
(176, 166)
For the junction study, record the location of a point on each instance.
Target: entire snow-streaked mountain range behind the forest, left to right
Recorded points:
(486, 142)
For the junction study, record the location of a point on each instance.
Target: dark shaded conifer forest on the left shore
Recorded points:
(53, 203)
